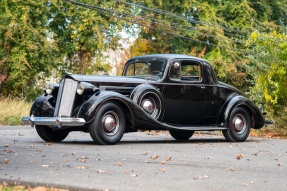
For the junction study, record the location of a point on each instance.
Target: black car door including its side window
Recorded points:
(183, 93)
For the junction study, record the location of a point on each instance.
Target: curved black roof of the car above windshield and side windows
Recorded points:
(167, 57)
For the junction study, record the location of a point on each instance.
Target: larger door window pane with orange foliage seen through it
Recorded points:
(190, 71)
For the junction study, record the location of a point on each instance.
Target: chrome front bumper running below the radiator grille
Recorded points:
(56, 121)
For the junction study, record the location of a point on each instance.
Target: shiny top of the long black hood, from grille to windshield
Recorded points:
(105, 79)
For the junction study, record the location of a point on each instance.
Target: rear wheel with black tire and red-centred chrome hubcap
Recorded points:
(239, 126)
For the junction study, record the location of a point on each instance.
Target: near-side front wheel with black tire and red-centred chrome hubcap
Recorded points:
(108, 126)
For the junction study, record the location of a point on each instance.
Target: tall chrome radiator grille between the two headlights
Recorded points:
(66, 97)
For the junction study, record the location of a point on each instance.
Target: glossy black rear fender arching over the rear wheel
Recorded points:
(236, 100)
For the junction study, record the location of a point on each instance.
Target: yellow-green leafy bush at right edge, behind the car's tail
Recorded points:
(267, 69)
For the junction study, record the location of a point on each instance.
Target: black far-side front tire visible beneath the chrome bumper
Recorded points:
(50, 135)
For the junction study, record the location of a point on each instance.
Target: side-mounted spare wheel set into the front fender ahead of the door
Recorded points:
(147, 93)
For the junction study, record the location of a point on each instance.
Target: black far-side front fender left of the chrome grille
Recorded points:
(42, 106)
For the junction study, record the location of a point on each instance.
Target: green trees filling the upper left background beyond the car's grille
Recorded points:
(38, 37)
